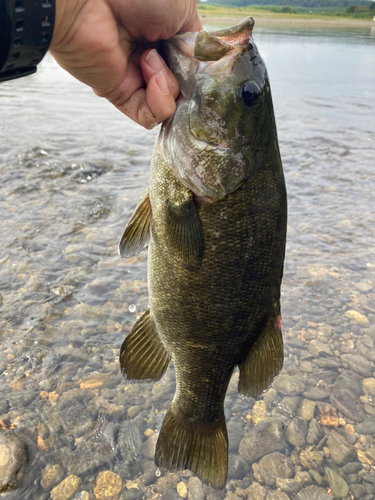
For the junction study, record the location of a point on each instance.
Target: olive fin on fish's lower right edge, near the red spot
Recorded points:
(264, 361)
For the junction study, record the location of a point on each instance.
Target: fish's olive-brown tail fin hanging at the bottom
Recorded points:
(199, 447)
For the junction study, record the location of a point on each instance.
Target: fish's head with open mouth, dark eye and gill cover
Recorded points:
(210, 141)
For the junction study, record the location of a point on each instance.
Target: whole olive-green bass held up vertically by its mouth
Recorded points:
(214, 219)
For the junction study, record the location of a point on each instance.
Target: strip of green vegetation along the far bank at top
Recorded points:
(357, 9)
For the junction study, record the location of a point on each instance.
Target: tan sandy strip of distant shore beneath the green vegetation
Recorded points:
(231, 16)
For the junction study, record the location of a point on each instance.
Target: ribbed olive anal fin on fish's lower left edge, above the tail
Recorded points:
(143, 355)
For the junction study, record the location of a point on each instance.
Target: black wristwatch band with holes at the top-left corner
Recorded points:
(26, 28)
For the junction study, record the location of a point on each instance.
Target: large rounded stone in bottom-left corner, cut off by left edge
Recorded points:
(13, 461)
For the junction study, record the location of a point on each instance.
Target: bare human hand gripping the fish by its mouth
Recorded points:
(106, 45)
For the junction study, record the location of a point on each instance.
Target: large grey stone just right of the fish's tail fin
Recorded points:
(262, 439)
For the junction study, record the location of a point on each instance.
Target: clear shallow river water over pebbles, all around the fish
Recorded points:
(72, 169)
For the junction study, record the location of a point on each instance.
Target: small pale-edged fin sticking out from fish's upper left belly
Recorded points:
(137, 232)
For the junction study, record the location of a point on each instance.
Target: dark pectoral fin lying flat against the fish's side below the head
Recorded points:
(184, 232)
